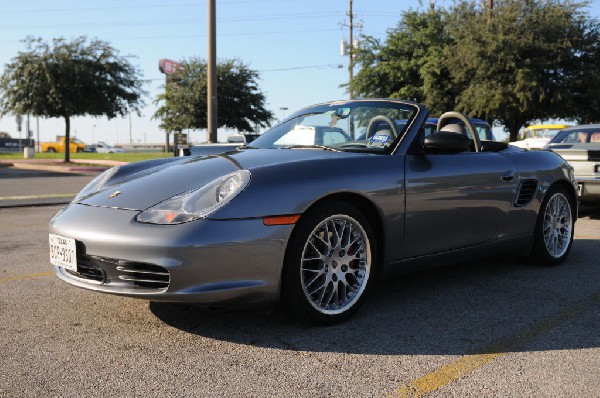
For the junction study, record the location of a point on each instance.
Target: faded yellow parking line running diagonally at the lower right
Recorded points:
(446, 374)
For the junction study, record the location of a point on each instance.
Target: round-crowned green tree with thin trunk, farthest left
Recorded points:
(66, 79)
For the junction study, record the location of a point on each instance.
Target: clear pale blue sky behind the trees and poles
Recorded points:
(294, 44)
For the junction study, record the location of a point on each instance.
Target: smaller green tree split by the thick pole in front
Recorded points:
(241, 105)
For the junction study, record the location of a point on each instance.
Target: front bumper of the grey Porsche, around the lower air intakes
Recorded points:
(212, 262)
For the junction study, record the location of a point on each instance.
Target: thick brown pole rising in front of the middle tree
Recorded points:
(211, 94)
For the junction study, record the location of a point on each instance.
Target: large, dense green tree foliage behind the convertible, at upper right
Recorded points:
(524, 61)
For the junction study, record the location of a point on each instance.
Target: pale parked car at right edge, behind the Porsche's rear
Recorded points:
(580, 146)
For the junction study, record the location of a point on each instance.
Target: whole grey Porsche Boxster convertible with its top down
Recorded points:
(314, 211)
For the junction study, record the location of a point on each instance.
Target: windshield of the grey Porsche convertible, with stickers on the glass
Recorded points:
(365, 126)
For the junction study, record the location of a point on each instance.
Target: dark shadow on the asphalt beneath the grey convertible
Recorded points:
(454, 310)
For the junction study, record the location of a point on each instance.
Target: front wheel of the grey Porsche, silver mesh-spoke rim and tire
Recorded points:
(330, 263)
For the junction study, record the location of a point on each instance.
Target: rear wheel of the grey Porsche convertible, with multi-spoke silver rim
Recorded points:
(554, 228)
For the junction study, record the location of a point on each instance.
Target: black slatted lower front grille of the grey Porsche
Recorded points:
(104, 270)
